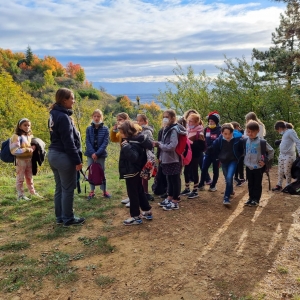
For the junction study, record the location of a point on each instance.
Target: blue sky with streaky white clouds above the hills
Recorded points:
(132, 46)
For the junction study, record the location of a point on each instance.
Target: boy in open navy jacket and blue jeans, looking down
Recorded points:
(228, 149)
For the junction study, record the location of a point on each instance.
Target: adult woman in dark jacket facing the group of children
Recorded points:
(64, 157)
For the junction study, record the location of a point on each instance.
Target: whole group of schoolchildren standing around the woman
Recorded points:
(227, 145)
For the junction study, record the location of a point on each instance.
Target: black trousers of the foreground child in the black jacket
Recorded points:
(136, 195)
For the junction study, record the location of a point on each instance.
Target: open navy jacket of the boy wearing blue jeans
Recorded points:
(225, 153)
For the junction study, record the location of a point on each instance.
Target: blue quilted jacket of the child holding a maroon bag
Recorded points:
(102, 141)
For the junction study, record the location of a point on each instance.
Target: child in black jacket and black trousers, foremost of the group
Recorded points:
(132, 159)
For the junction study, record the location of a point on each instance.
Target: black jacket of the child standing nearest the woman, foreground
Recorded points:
(133, 156)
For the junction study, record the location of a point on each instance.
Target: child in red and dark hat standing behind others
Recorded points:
(211, 133)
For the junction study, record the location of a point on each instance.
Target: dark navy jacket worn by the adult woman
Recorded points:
(63, 135)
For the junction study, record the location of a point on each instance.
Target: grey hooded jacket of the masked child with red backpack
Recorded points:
(169, 142)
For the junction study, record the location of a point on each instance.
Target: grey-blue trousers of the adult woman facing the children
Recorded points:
(65, 182)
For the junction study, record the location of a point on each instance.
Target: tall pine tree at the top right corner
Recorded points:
(283, 59)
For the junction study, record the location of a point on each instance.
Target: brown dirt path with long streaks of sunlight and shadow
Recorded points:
(202, 251)
